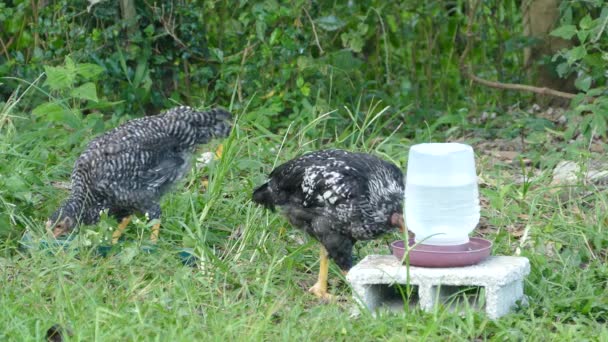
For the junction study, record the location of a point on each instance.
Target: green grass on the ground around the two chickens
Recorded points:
(255, 269)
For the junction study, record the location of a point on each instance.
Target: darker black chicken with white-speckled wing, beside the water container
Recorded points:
(338, 197)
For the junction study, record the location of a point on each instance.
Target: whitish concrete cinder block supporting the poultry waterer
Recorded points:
(498, 281)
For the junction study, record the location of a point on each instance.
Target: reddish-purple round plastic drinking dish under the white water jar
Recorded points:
(444, 256)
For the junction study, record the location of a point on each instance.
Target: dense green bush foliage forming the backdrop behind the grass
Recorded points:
(81, 65)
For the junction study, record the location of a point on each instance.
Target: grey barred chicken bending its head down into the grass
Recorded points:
(128, 169)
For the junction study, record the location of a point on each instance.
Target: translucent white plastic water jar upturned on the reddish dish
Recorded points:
(441, 193)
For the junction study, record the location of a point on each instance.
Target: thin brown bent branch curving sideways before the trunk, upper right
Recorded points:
(466, 70)
